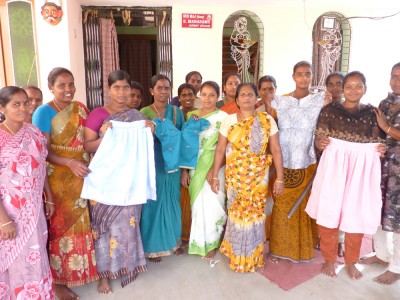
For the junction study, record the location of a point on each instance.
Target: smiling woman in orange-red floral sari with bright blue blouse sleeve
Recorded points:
(71, 248)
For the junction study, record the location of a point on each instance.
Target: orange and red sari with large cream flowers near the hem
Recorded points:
(71, 248)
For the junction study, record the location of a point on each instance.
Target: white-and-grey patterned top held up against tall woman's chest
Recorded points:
(296, 121)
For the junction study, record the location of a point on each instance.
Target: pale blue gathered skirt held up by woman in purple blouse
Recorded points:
(123, 168)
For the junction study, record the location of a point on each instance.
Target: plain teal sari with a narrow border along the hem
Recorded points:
(161, 222)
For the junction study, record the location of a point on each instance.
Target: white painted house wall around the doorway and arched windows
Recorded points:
(375, 45)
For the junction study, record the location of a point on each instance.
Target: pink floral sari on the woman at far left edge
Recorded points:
(24, 265)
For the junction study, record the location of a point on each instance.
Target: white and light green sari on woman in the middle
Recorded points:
(208, 208)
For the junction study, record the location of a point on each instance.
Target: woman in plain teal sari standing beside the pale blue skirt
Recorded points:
(161, 224)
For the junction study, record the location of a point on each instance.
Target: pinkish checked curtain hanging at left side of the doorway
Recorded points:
(109, 52)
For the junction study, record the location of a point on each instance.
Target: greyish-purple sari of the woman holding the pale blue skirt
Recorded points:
(118, 242)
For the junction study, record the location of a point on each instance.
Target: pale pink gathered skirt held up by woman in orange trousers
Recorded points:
(346, 192)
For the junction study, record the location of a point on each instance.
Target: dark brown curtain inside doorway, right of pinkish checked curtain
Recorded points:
(135, 58)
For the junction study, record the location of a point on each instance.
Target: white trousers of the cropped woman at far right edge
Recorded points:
(387, 248)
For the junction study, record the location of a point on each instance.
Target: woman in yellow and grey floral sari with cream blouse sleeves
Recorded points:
(245, 136)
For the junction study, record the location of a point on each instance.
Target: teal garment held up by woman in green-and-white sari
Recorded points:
(189, 149)
